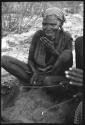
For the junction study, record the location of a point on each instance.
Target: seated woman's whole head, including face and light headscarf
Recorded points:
(53, 19)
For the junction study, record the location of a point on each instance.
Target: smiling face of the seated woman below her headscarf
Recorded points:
(50, 25)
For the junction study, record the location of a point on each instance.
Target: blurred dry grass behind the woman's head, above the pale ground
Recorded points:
(18, 17)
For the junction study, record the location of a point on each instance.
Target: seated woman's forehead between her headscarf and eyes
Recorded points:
(51, 19)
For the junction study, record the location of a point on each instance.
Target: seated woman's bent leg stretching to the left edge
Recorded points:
(16, 67)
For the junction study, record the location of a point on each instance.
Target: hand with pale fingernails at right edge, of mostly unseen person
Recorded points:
(75, 75)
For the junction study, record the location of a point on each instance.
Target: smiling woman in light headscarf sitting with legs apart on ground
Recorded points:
(49, 54)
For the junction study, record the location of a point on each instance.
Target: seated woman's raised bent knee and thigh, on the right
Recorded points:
(63, 63)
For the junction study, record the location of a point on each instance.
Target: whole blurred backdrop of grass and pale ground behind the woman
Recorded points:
(20, 20)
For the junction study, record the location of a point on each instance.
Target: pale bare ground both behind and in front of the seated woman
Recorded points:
(27, 107)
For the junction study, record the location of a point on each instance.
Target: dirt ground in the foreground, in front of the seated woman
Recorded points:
(31, 106)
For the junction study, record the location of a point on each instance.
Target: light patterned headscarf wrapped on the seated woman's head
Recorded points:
(55, 11)
